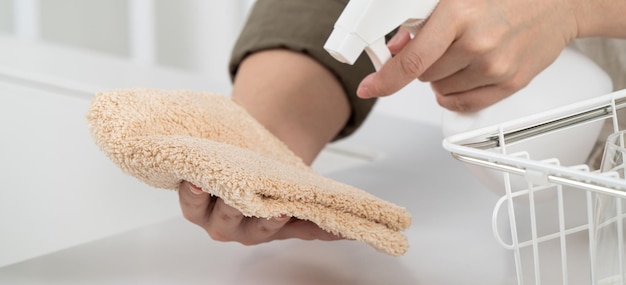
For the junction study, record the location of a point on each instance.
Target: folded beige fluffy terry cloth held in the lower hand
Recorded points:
(165, 137)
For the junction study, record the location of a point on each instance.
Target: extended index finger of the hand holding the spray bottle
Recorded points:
(418, 55)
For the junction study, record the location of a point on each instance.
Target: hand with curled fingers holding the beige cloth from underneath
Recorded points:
(225, 223)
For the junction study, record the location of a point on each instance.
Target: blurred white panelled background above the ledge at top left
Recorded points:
(193, 35)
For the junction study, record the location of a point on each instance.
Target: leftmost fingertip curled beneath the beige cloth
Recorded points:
(194, 203)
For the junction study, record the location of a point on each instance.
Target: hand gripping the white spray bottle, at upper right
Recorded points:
(476, 52)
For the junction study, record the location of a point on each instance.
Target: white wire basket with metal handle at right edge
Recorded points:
(547, 213)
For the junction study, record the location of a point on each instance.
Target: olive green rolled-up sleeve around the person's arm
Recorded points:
(304, 26)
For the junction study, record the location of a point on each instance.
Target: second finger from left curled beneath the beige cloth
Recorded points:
(224, 222)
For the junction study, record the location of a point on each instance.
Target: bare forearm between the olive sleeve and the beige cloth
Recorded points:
(294, 97)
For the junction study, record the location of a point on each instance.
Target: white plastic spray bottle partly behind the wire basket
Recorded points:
(363, 24)
